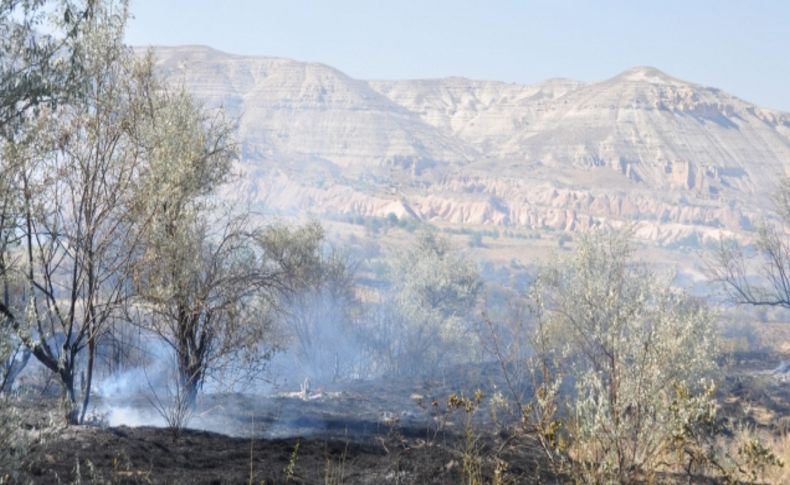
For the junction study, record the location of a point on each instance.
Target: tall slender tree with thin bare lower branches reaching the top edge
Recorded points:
(76, 172)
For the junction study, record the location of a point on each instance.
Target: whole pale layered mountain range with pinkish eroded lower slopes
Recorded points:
(677, 160)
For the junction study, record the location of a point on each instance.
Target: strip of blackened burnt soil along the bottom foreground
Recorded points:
(152, 455)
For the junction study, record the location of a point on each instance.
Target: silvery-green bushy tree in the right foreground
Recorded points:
(635, 354)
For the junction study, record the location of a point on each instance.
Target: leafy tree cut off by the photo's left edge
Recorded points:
(35, 70)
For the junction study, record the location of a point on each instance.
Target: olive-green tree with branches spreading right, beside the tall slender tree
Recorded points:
(207, 281)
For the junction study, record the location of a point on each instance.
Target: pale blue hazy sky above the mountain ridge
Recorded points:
(740, 46)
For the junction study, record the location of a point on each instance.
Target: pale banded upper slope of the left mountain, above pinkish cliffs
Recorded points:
(292, 110)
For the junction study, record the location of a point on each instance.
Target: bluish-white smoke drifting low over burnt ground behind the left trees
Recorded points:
(341, 346)
